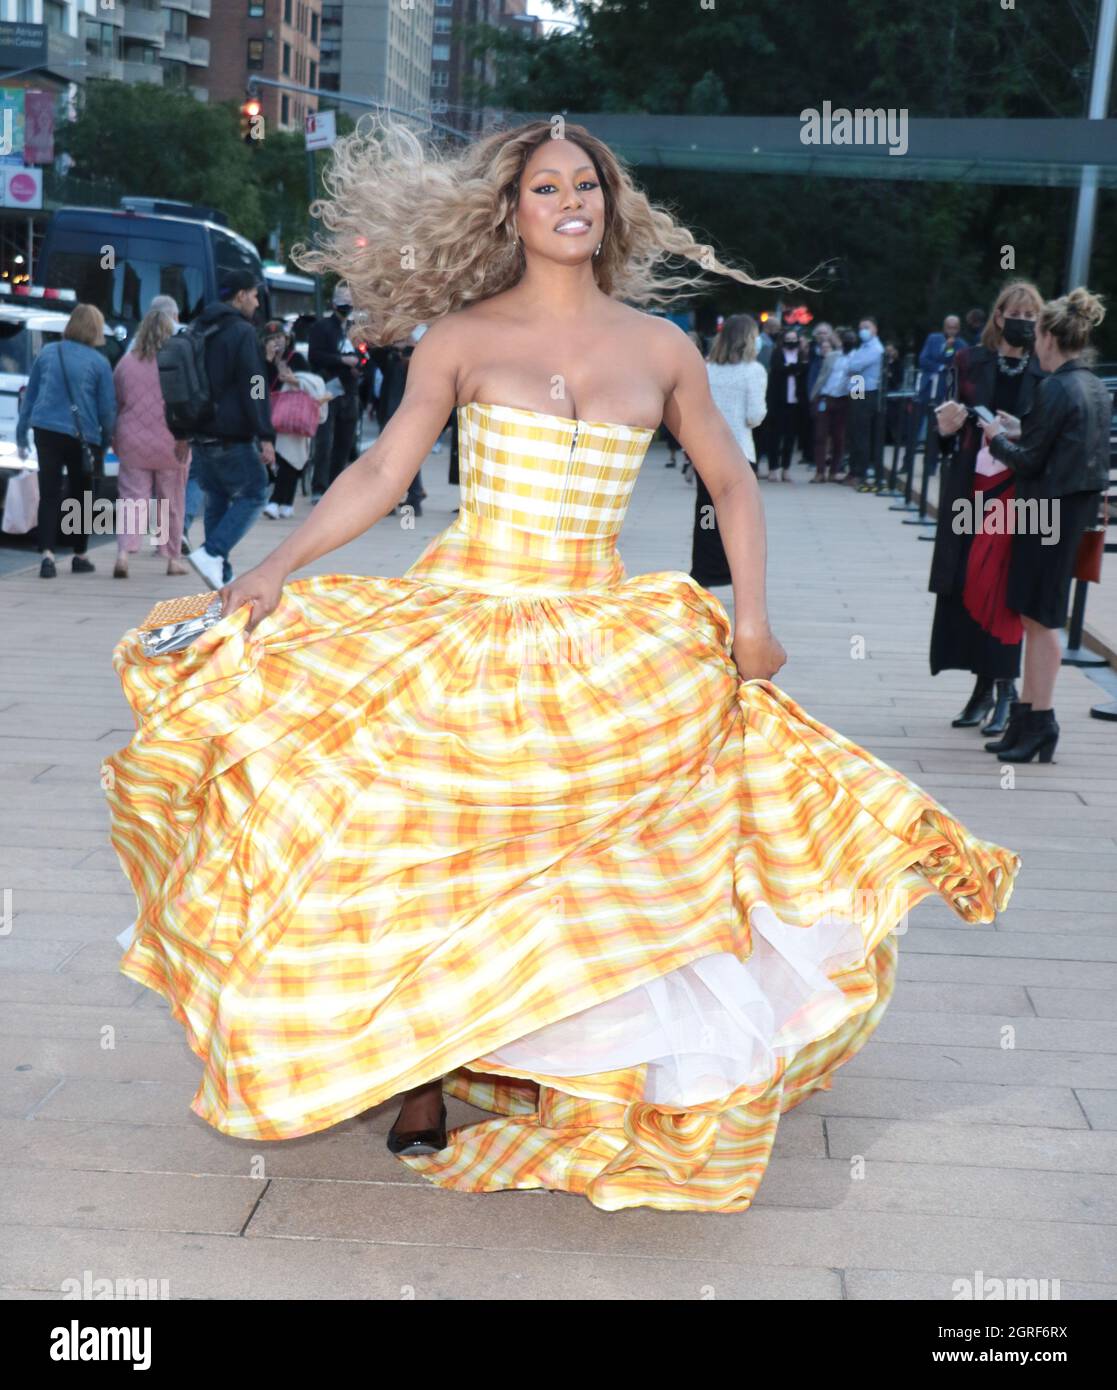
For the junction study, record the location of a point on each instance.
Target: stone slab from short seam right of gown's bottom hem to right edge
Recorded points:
(1034, 1147)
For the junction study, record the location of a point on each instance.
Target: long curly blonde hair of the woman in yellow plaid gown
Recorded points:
(419, 233)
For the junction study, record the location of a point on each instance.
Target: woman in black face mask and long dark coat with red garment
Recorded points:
(973, 629)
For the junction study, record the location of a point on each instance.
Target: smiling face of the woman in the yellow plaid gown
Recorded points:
(562, 205)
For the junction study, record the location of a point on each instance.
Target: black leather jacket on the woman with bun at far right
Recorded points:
(1064, 444)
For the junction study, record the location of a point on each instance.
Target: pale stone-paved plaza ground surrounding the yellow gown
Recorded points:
(976, 1132)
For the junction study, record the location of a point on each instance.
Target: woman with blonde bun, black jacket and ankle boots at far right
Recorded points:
(1061, 462)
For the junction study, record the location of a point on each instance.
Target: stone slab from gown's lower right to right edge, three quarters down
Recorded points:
(1009, 1067)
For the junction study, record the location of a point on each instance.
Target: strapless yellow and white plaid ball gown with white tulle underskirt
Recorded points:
(515, 819)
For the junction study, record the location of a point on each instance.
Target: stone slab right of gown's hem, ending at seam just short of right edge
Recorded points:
(950, 1103)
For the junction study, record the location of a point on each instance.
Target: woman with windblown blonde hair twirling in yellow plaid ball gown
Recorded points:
(519, 828)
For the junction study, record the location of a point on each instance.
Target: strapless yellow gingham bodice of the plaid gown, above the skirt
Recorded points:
(543, 502)
